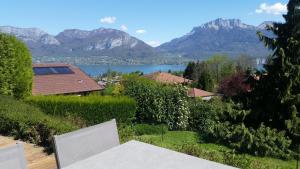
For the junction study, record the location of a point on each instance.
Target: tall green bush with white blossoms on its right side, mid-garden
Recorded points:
(158, 103)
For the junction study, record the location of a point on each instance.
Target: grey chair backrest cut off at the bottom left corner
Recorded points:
(13, 157)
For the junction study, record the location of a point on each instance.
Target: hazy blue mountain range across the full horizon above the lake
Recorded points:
(111, 46)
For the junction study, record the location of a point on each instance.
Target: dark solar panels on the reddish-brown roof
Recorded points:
(52, 70)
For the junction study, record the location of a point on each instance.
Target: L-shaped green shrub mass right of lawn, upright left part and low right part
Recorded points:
(262, 141)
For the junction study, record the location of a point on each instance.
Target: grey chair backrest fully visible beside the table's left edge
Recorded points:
(81, 144)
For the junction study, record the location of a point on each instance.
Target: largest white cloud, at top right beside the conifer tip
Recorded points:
(275, 9)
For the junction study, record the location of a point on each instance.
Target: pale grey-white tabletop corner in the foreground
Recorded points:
(138, 155)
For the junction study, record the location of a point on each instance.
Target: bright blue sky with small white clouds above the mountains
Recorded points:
(153, 21)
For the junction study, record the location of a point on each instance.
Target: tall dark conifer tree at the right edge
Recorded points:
(275, 99)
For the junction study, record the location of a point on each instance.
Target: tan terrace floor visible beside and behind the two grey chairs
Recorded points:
(36, 158)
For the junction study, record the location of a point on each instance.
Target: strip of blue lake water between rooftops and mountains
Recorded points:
(94, 70)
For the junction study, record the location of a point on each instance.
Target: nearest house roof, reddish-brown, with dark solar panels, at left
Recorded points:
(53, 79)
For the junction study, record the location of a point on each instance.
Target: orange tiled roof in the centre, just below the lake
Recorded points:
(167, 78)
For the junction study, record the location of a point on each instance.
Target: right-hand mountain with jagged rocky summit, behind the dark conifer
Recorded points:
(221, 36)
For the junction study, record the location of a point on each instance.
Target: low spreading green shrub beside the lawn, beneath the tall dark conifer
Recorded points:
(262, 142)
